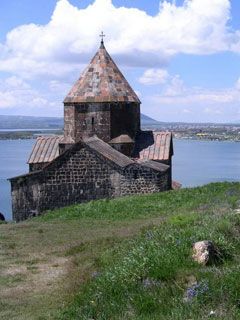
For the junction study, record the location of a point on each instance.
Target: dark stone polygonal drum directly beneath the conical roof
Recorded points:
(106, 120)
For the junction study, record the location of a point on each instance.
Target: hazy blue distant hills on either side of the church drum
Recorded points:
(28, 122)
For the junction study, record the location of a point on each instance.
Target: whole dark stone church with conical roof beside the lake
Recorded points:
(103, 152)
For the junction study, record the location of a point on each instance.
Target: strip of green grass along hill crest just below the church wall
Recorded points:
(202, 199)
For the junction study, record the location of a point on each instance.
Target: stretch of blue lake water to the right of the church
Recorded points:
(199, 162)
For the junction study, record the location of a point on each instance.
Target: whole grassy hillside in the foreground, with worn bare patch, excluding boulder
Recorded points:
(127, 258)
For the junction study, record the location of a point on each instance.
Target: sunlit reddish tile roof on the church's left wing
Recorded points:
(45, 149)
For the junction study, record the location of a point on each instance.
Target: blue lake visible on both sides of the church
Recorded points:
(194, 163)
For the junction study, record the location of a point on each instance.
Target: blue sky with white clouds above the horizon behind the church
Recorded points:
(181, 57)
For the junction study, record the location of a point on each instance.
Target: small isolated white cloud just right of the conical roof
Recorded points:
(154, 76)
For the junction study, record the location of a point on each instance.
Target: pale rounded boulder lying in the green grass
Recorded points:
(205, 252)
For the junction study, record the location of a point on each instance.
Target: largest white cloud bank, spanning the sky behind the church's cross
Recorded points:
(133, 36)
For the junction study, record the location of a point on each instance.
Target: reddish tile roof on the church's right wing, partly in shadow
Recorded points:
(154, 146)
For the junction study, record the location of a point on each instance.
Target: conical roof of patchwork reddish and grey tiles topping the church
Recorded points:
(101, 81)
